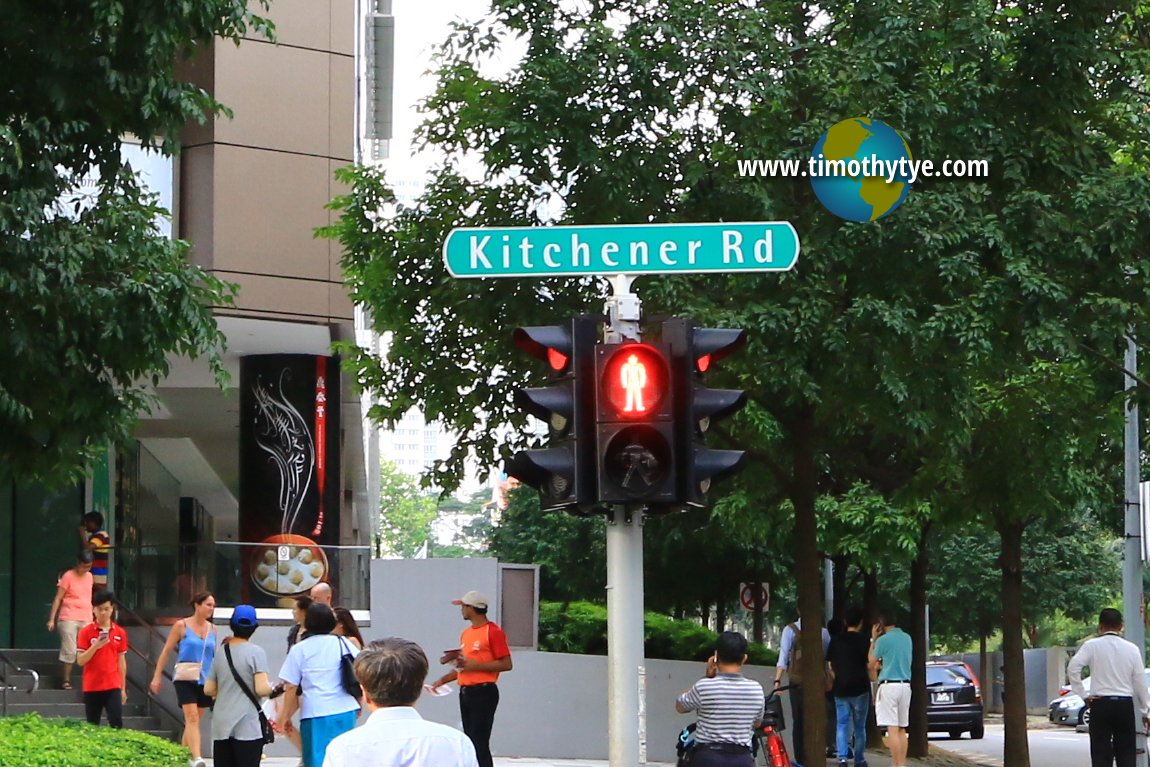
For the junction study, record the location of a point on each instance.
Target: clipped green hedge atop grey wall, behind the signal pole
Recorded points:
(582, 630)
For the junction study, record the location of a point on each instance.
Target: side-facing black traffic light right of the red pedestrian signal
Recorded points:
(694, 350)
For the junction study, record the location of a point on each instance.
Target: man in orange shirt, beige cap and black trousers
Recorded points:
(481, 657)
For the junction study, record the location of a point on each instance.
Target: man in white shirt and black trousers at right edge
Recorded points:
(1118, 692)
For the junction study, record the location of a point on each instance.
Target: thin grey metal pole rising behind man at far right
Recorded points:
(1133, 607)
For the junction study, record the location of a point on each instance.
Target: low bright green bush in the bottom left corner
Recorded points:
(30, 741)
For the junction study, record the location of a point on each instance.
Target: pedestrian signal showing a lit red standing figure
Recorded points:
(635, 425)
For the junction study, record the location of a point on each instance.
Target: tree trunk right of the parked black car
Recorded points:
(1017, 753)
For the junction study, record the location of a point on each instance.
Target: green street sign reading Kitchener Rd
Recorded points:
(624, 249)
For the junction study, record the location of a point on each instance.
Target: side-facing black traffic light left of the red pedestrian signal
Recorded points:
(564, 472)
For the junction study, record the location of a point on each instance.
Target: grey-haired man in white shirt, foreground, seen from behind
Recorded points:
(393, 672)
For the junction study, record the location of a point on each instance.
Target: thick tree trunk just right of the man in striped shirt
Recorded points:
(808, 574)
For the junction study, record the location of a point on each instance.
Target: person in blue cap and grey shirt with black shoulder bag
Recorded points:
(240, 728)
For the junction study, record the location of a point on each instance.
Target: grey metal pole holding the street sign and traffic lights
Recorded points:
(626, 700)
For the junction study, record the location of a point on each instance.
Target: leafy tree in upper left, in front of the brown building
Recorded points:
(93, 298)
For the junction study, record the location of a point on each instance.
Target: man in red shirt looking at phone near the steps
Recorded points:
(103, 647)
